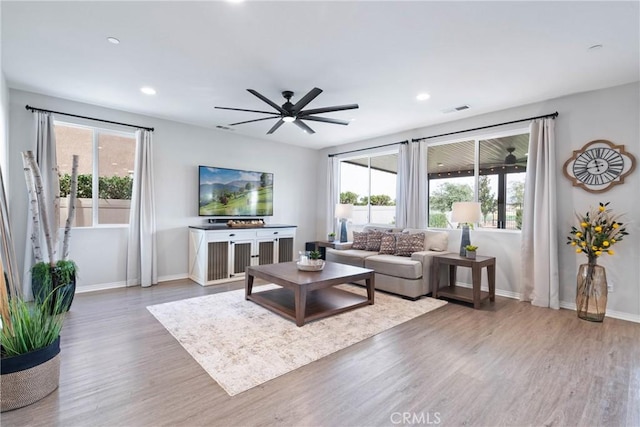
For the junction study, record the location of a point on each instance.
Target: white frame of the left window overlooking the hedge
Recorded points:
(96, 131)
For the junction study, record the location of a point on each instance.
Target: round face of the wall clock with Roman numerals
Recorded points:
(598, 166)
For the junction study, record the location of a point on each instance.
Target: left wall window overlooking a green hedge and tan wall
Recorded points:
(105, 173)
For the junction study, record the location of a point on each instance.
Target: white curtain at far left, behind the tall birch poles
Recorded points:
(45, 148)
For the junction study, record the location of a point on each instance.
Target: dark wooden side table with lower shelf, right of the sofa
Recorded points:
(474, 295)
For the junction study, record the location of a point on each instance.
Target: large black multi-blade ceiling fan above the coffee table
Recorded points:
(294, 113)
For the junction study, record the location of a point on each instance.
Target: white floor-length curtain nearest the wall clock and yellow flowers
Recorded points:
(539, 281)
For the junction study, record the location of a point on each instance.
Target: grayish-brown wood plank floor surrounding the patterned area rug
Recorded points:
(508, 364)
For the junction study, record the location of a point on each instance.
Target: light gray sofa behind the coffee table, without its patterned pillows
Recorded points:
(408, 276)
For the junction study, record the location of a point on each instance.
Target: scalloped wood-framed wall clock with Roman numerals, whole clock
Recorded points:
(599, 165)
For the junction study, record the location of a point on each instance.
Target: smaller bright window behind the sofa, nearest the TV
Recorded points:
(369, 183)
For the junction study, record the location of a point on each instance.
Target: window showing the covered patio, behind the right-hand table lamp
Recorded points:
(490, 171)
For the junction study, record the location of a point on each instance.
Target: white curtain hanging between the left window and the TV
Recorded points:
(141, 247)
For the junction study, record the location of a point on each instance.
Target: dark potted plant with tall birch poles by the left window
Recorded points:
(50, 277)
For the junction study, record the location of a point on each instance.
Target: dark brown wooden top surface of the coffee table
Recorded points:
(288, 271)
